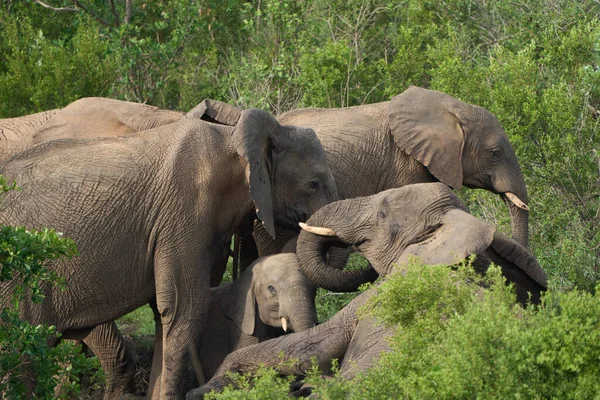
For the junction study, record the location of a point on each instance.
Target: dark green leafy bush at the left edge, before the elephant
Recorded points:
(26, 349)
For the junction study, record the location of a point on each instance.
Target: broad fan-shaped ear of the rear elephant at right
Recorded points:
(427, 126)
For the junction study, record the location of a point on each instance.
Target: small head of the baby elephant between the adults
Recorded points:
(275, 288)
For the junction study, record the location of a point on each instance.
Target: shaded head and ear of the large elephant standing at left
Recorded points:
(276, 153)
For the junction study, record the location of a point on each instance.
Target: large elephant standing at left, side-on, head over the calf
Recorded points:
(152, 213)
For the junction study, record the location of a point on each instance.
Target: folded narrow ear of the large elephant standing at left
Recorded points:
(253, 138)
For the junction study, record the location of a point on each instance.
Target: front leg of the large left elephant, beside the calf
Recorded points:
(182, 299)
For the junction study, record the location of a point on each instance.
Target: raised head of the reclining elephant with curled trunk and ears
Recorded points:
(425, 220)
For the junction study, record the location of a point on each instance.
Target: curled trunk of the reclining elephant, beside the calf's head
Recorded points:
(348, 219)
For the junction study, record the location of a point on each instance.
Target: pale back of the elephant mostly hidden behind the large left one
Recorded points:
(88, 117)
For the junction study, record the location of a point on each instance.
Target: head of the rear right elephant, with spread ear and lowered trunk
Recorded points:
(461, 144)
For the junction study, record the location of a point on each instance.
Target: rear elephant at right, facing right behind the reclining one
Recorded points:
(419, 136)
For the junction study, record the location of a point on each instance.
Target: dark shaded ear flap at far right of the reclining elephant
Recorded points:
(519, 266)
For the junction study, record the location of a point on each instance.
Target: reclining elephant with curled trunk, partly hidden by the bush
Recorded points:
(424, 220)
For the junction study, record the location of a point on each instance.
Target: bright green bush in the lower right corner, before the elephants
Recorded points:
(487, 347)
